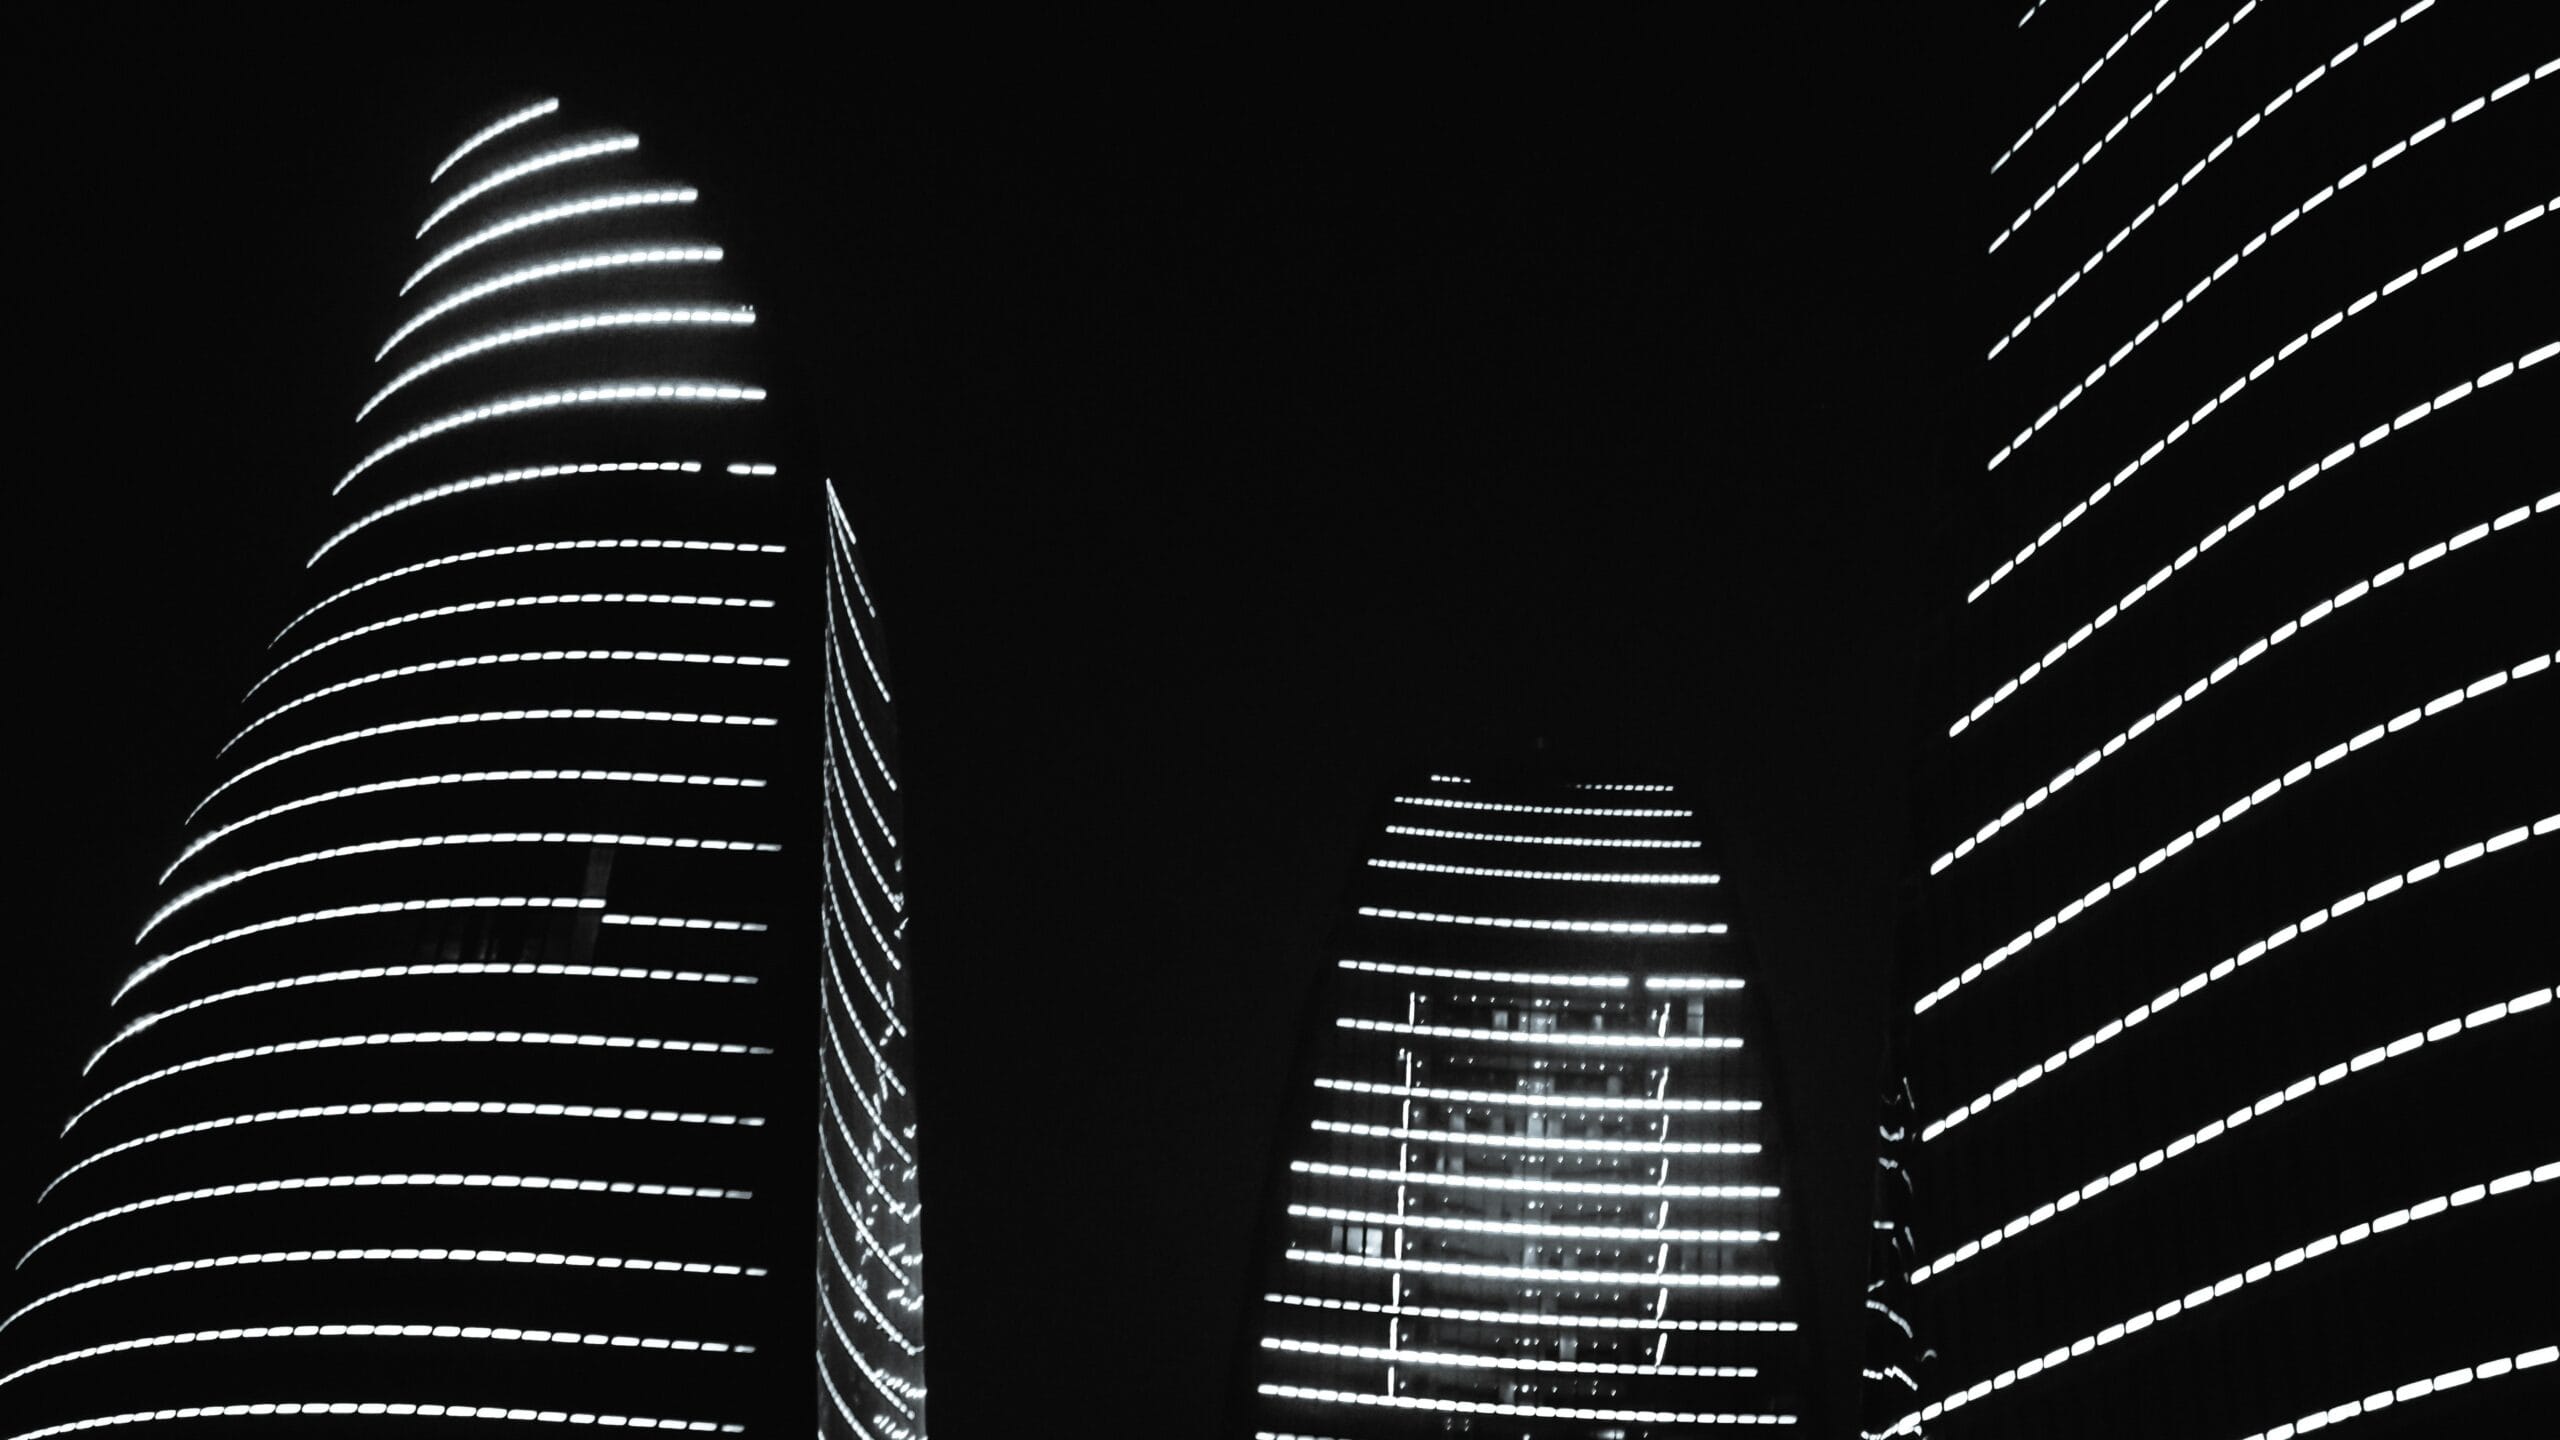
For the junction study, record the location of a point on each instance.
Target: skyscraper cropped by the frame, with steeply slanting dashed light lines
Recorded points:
(2228, 998)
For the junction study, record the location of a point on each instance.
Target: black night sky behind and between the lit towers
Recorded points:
(1222, 452)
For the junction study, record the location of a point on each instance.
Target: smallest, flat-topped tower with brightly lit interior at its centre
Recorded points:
(1532, 1180)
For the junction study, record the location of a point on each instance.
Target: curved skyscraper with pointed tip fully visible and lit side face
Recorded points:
(534, 962)
